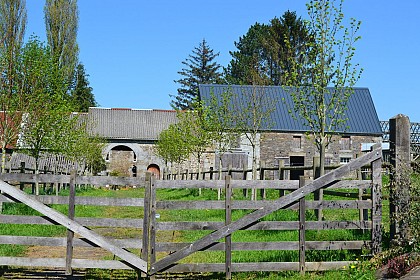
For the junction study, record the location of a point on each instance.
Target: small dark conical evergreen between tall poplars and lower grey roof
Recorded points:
(81, 95)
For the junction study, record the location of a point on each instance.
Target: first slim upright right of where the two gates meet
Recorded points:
(228, 220)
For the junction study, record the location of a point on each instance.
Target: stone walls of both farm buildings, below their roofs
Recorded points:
(272, 148)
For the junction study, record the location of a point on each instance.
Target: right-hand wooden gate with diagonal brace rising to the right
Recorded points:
(336, 178)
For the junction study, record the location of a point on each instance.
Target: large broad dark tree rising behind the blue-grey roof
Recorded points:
(268, 50)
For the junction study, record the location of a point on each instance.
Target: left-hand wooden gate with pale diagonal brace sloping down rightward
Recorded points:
(89, 237)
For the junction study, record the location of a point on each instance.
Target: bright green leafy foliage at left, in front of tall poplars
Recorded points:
(50, 126)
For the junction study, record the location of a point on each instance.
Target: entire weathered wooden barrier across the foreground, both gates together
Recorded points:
(159, 255)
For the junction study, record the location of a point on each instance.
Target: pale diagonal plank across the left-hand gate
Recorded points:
(74, 226)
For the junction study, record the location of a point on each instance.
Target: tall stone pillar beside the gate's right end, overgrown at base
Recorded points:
(400, 158)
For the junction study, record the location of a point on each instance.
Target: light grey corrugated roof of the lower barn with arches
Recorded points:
(132, 124)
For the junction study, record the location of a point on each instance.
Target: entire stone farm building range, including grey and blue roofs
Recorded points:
(131, 135)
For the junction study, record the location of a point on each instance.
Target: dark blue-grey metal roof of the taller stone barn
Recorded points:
(361, 112)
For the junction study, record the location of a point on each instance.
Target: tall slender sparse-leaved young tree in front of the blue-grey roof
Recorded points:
(328, 63)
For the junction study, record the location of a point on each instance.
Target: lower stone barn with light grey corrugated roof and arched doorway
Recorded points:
(131, 135)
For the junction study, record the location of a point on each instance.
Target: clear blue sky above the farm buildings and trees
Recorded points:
(132, 49)
